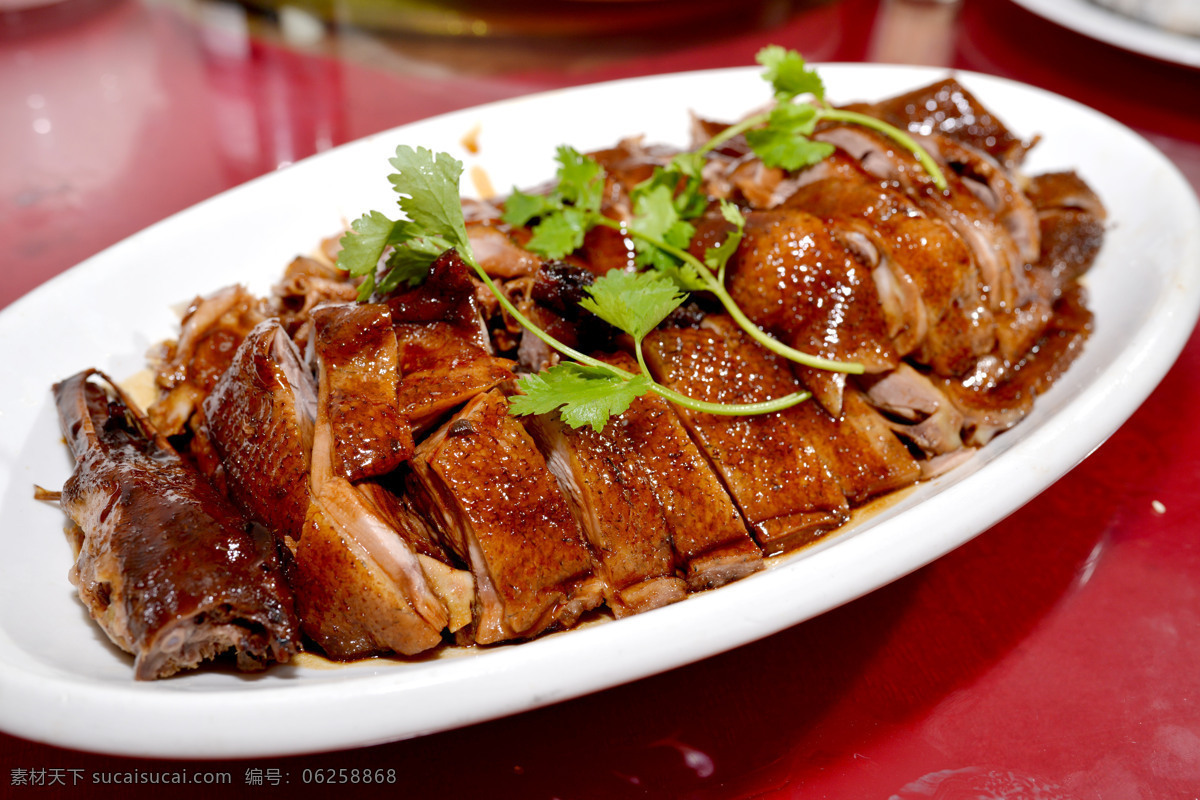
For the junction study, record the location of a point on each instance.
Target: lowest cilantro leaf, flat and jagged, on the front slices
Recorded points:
(585, 395)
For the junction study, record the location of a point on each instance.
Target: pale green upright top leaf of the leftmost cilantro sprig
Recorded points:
(428, 185)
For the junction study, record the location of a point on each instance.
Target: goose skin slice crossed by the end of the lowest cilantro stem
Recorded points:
(772, 471)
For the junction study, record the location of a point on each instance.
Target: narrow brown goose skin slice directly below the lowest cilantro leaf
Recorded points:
(613, 496)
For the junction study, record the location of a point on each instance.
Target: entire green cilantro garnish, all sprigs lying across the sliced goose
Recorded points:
(586, 390)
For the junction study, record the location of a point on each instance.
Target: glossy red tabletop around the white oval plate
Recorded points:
(1058, 655)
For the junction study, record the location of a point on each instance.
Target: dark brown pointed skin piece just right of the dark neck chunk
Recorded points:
(260, 420)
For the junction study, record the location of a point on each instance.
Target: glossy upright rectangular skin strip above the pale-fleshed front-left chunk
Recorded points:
(358, 345)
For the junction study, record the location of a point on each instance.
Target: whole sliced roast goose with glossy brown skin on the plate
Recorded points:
(349, 473)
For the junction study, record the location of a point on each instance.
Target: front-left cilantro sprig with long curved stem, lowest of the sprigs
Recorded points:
(586, 390)
